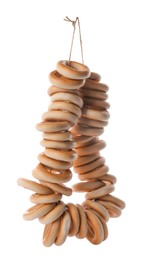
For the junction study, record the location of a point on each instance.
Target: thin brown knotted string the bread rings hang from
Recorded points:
(77, 20)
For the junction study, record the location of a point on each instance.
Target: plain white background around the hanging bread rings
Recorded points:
(117, 44)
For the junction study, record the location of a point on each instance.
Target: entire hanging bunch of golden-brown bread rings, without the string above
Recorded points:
(71, 126)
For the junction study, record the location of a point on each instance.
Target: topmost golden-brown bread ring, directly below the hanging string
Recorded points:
(72, 69)
